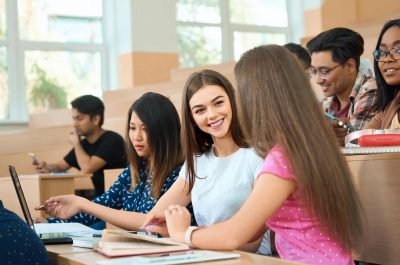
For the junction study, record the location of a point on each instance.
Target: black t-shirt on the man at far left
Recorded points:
(109, 147)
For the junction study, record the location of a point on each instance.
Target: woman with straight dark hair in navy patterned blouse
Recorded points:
(155, 156)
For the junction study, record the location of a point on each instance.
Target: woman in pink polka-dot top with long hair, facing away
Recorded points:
(304, 191)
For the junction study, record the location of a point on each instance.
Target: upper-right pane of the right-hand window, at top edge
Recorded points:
(259, 12)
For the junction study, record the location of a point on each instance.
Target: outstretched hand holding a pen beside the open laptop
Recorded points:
(63, 207)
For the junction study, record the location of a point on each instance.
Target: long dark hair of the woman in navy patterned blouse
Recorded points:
(163, 129)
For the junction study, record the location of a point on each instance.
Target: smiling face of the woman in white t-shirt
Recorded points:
(211, 110)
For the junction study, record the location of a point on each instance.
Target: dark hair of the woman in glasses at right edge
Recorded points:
(386, 92)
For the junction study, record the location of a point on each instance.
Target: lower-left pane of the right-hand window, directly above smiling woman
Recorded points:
(199, 45)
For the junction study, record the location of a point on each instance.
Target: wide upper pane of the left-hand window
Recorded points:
(60, 20)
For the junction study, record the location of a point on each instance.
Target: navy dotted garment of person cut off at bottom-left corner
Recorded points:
(19, 244)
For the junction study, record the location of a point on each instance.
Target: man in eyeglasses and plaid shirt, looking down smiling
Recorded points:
(350, 94)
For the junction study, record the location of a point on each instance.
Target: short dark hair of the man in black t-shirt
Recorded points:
(90, 105)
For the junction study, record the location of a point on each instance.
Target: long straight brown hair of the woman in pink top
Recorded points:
(279, 108)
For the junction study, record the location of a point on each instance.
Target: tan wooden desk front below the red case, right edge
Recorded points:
(377, 177)
